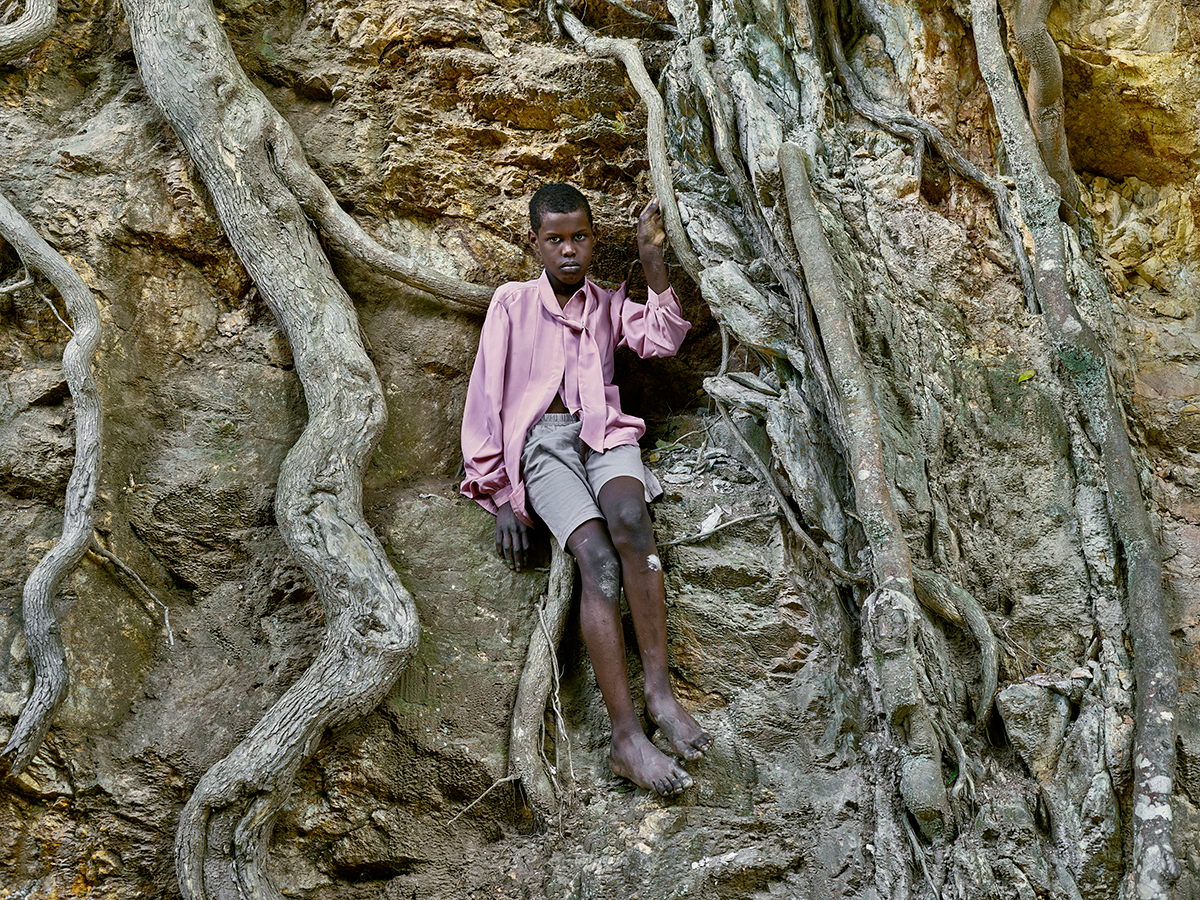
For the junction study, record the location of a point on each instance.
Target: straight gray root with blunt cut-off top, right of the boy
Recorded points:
(891, 611)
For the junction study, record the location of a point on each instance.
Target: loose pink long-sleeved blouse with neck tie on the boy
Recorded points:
(532, 350)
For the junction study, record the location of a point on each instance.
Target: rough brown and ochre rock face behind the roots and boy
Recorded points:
(433, 123)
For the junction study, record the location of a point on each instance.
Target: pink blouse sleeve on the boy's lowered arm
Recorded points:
(483, 431)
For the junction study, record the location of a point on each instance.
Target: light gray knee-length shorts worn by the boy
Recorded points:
(563, 476)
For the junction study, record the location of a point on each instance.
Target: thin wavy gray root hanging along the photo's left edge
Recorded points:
(43, 639)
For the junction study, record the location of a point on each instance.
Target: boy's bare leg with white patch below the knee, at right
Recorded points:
(633, 536)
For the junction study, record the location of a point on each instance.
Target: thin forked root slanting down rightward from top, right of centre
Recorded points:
(921, 133)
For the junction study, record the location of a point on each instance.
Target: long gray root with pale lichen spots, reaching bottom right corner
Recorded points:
(1081, 353)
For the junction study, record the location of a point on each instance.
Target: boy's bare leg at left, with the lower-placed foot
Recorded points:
(633, 755)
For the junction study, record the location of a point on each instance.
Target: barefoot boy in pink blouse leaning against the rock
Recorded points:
(543, 431)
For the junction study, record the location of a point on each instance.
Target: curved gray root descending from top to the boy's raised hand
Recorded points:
(656, 130)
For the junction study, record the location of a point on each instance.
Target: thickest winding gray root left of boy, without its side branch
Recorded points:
(237, 140)
